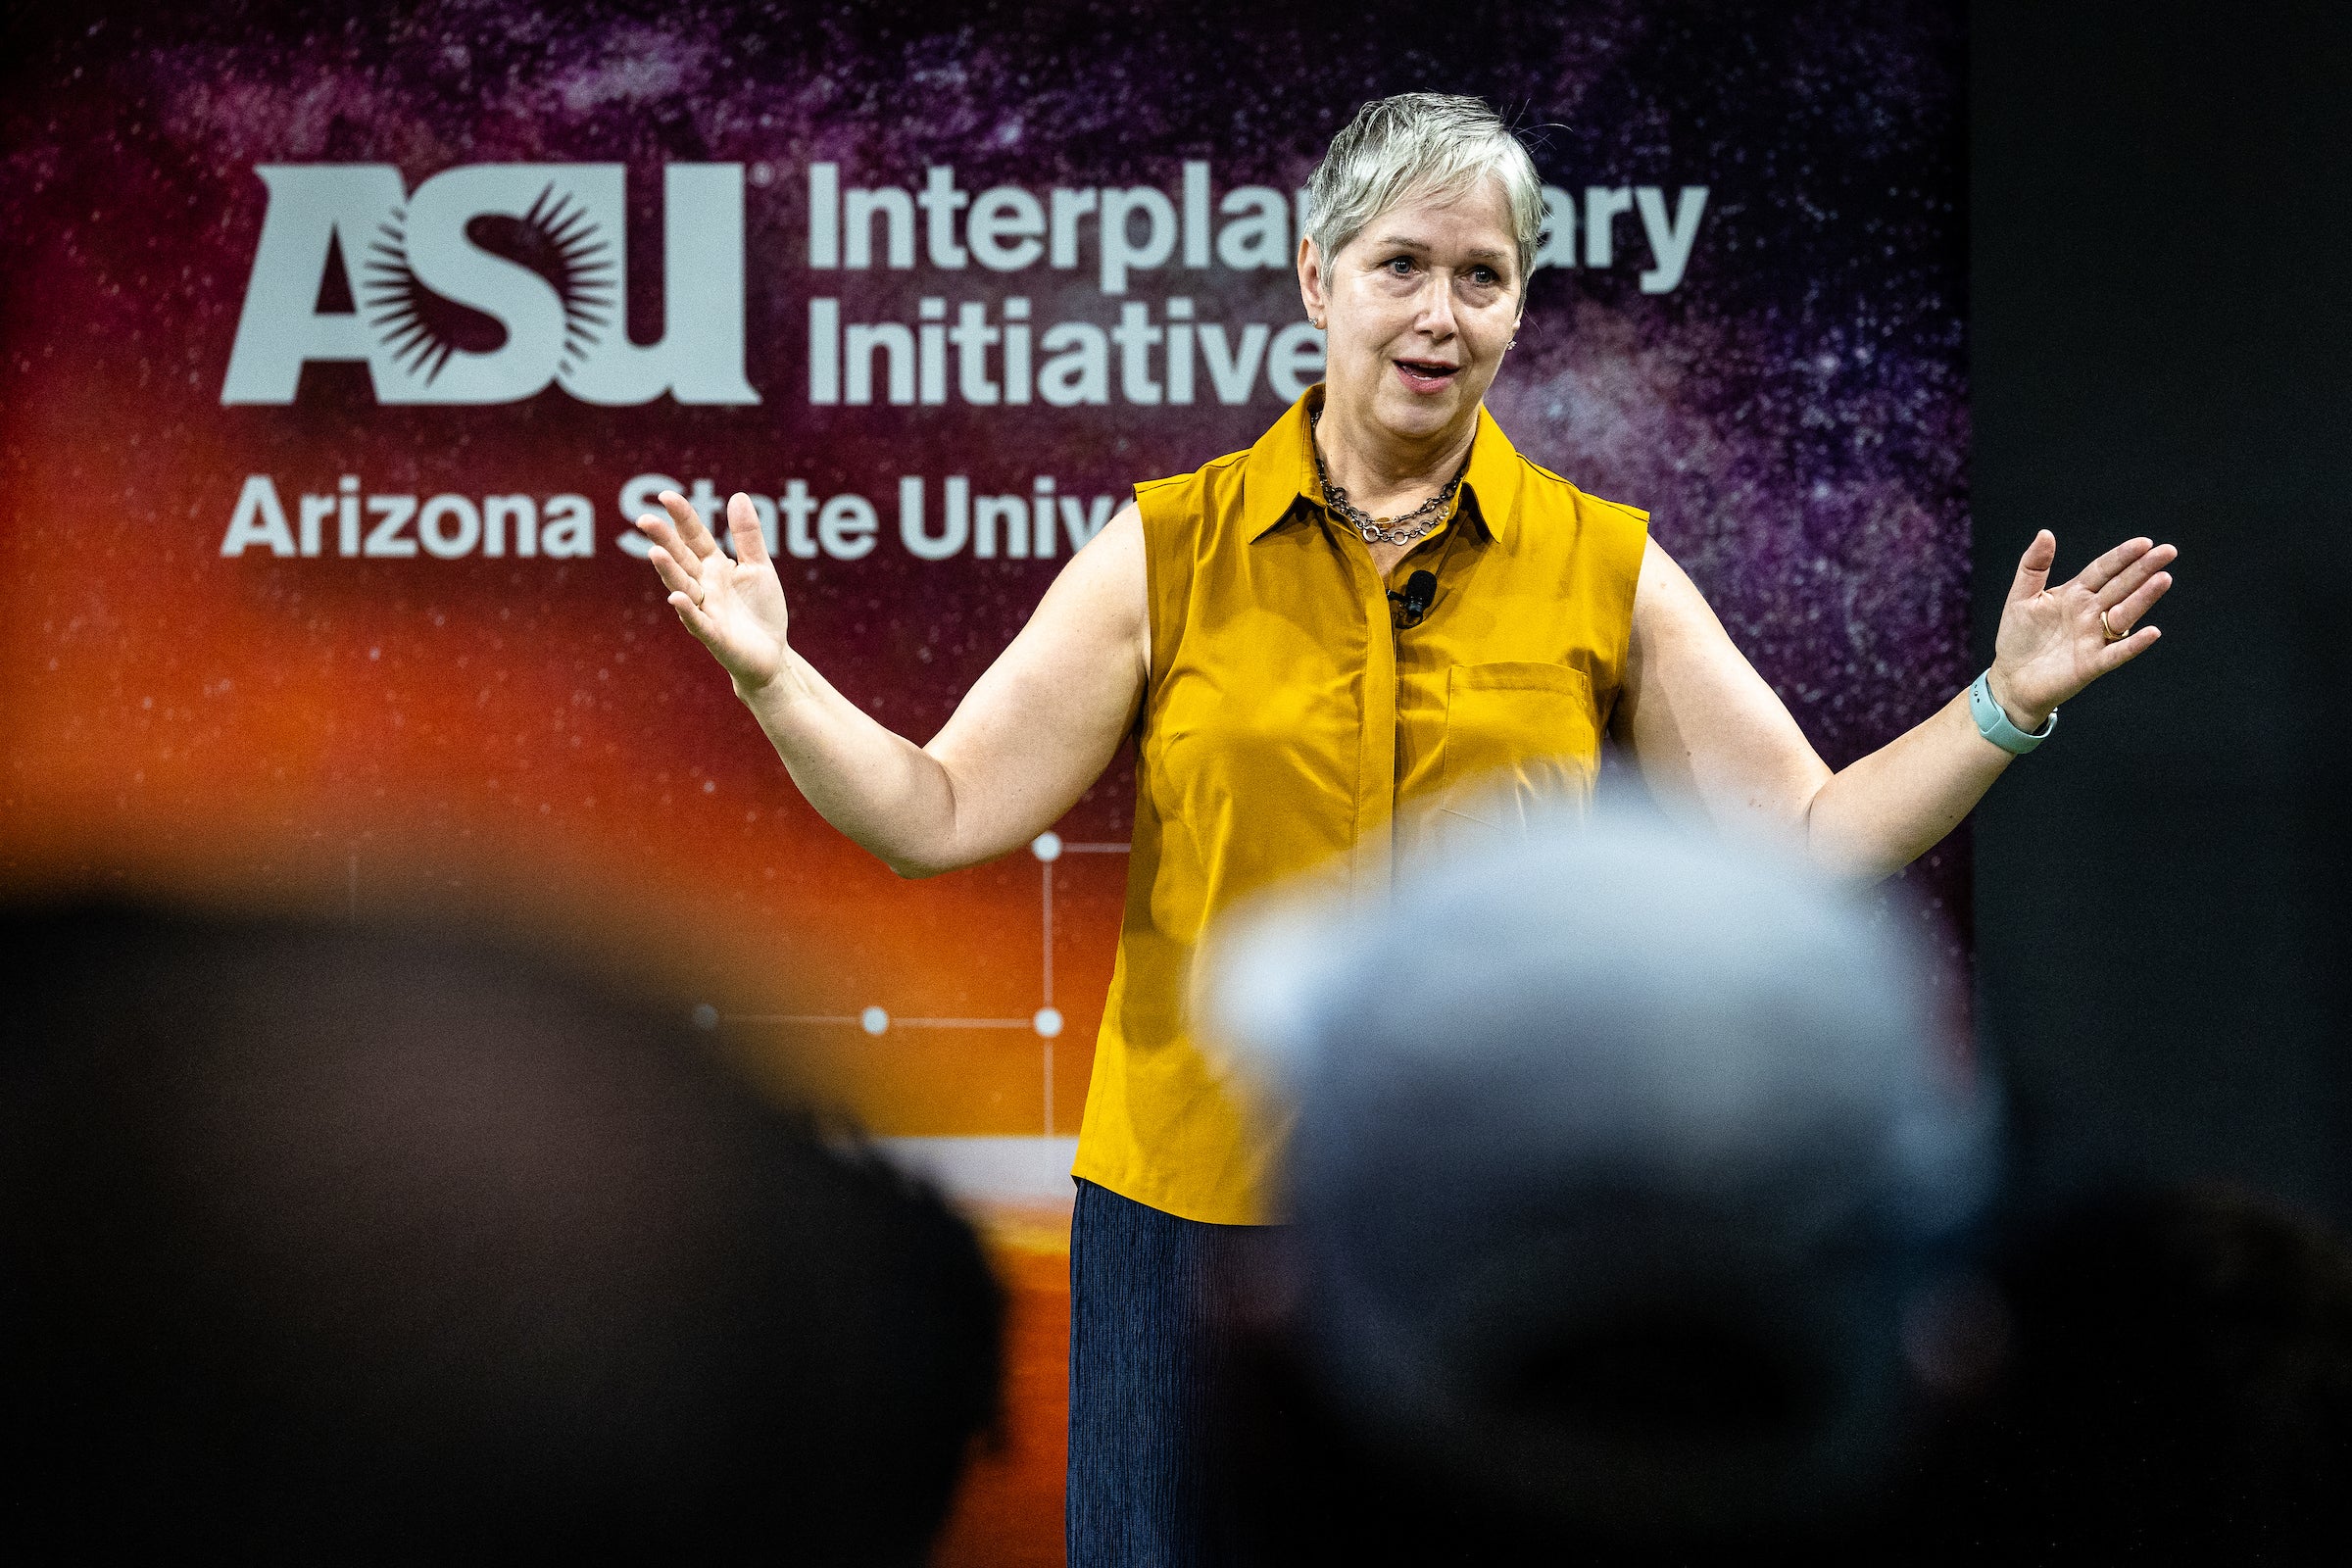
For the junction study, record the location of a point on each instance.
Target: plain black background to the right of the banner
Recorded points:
(2163, 248)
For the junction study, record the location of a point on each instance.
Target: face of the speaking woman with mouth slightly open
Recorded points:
(1417, 311)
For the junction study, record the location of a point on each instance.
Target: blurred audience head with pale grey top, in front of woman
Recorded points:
(1629, 1174)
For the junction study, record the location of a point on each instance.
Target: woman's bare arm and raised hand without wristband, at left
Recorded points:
(1031, 735)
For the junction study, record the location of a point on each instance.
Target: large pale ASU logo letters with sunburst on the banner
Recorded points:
(493, 283)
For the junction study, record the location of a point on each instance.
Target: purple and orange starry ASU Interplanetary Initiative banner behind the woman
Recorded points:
(342, 344)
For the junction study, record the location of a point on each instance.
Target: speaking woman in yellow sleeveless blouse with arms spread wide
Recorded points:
(1295, 721)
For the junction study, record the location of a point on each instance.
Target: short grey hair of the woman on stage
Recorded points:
(1415, 145)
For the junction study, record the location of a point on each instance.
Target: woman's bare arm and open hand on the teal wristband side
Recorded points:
(1713, 742)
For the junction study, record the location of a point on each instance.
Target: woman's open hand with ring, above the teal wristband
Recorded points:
(2052, 643)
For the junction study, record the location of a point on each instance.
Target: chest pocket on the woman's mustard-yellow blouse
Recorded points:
(1518, 732)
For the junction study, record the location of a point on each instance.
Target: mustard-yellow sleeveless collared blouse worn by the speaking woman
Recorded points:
(1290, 732)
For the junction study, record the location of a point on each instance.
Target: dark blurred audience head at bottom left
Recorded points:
(356, 1245)
